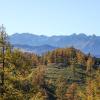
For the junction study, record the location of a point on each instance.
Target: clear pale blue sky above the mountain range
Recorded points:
(51, 17)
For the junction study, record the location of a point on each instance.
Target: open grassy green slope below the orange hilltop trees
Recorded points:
(53, 72)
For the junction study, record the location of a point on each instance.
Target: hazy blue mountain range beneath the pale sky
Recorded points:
(41, 44)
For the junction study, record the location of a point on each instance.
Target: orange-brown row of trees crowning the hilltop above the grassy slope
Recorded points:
(68, 56)
